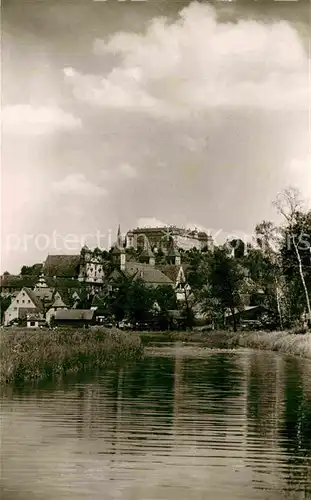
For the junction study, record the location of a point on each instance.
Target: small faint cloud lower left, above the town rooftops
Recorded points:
(77, 184)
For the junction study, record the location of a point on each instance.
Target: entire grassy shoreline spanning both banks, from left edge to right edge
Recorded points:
(39, 355)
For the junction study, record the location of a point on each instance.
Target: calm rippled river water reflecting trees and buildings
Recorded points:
(184, 423)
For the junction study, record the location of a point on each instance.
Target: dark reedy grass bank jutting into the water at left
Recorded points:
(40, 354)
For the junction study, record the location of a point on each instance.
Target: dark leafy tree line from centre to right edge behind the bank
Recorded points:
(274, 271)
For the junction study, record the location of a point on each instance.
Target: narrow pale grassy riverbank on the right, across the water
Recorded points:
(285, 342)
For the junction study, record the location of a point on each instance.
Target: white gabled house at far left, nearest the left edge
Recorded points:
(25, 302)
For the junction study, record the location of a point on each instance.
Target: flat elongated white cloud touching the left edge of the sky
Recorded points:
(27, 120)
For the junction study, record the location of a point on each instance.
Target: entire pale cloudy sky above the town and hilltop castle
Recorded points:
(141, 112)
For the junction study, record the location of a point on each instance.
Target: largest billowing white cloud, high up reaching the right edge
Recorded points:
(197, 63)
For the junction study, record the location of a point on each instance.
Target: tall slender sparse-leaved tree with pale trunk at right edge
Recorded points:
(290, 206)
